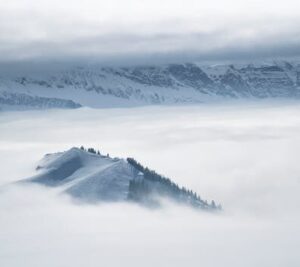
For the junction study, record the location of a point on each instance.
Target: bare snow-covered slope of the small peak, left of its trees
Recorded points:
(85, 175)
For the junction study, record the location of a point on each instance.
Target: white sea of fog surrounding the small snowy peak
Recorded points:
(244, 156)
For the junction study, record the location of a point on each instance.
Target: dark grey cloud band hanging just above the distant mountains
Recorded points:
(132, 49)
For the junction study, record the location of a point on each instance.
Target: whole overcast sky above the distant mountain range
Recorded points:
(133, 30)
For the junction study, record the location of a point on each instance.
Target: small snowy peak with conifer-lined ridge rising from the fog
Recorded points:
(88, 176)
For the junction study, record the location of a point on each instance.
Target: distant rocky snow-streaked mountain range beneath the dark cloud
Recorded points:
(96, 86)
